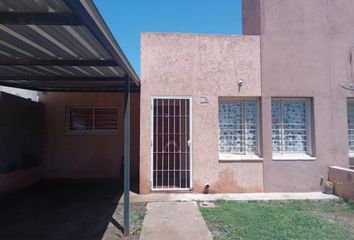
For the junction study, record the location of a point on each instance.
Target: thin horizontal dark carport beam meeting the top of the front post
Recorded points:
(64, 78)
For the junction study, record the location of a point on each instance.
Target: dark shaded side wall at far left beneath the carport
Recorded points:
(21, 142)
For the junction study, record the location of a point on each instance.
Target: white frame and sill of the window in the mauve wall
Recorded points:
(308, 155)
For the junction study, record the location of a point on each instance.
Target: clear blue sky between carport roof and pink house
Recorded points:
(128, 18)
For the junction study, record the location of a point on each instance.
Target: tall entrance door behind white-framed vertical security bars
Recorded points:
(171, 164)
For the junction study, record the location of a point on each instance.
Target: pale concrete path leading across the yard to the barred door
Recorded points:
(174, 221)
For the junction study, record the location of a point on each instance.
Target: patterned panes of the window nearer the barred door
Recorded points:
(238, 126)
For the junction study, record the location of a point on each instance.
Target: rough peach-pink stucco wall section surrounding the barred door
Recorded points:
(200, 65)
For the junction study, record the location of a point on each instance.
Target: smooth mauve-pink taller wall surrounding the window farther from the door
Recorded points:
(305, 52)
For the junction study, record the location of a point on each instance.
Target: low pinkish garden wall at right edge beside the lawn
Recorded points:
(343, 180)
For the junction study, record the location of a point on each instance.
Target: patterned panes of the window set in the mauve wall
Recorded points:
(291, 126)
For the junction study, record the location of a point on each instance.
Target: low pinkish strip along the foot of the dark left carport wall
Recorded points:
(17, 180)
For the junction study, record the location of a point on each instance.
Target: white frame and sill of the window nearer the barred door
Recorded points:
(244, 156)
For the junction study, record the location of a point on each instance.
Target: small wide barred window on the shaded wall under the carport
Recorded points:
(92, 119)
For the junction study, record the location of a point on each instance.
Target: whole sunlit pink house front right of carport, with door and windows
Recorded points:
(265, 111)
